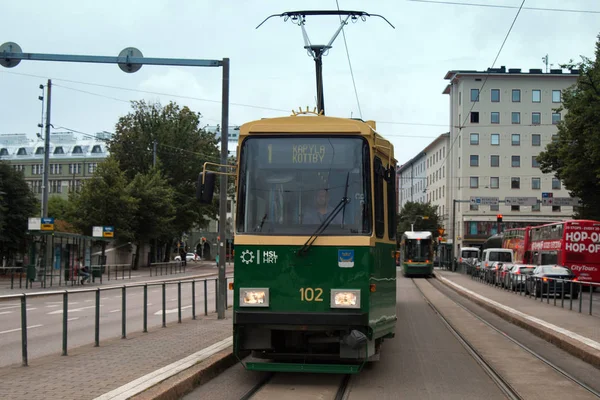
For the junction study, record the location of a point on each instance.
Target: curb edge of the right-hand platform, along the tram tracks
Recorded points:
(559, 340)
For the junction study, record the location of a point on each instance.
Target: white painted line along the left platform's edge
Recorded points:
(139, 385)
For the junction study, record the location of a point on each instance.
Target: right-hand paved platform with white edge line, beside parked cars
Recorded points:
(579, 334)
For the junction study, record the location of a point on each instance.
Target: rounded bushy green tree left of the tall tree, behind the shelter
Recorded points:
(104, 201)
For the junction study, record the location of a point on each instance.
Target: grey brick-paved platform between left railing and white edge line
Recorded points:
(88, 372)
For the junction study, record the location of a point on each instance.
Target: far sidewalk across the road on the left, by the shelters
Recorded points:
(142, 275)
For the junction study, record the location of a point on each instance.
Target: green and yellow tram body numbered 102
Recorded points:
(283, 298)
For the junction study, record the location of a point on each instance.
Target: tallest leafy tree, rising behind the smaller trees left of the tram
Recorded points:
(182, 147)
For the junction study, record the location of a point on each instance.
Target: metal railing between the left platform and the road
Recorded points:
(65, 310)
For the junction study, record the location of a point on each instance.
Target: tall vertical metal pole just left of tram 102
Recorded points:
(223, 194)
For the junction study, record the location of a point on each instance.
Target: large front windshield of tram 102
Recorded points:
(288, 186)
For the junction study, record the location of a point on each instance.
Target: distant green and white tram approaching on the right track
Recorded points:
(416, 253)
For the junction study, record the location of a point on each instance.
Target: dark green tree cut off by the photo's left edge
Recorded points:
(17, 204)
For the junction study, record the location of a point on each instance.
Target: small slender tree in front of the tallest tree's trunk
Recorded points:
(155, 210)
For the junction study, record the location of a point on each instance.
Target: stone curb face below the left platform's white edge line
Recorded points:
(178, 385)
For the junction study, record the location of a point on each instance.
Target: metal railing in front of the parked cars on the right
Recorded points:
(534, 287)
